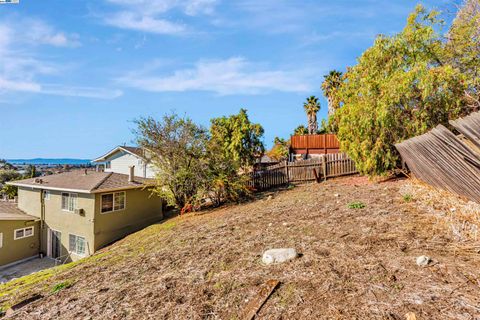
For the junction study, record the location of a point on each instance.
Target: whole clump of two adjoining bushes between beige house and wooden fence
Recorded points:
(194, 164)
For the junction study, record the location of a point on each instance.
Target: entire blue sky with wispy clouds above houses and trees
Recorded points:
(74, 74)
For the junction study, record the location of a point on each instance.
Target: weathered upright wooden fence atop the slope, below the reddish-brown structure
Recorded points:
(326, 166)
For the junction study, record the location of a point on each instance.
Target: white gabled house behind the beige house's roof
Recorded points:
(121, 158)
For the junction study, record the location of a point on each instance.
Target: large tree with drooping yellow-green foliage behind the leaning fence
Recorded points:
(400, 88)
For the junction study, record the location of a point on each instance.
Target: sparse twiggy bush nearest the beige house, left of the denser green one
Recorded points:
(177, 148)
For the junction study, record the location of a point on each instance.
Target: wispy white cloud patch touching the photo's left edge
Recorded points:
(20, 69)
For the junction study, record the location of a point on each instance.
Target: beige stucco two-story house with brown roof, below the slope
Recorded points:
(74, 214)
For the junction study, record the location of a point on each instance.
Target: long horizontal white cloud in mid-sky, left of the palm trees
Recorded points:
(224, 77)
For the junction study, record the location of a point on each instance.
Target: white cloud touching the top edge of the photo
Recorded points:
(149, 15)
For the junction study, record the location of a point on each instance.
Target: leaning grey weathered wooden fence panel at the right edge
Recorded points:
(442, 160)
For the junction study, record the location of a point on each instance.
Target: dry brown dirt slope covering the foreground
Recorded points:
(355, 264)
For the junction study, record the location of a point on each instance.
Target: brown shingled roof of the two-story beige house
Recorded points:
(84, 182)
